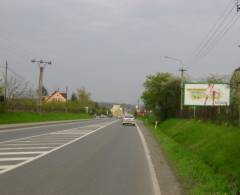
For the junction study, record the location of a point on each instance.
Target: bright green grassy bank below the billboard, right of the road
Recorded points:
(205, 156)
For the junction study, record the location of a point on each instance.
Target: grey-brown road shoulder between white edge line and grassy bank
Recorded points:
(165, 176)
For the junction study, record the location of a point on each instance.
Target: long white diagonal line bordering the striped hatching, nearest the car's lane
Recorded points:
(53, 150)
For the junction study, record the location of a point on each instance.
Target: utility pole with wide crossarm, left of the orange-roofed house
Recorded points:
(41, 65)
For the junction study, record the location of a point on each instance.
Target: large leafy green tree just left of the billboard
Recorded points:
(162, 94)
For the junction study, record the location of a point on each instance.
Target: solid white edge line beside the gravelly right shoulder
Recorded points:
(156, 186)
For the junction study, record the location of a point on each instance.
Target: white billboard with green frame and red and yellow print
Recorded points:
(206, 94)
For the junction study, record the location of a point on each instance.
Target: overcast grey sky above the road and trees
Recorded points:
(109, 46)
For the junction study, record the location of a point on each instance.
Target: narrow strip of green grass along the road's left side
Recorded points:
(25, 117)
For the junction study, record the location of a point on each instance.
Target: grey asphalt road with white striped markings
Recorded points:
(88, 158)
